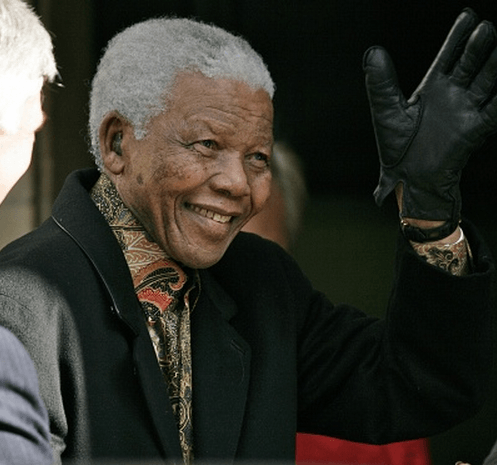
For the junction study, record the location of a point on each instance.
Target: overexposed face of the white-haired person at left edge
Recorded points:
(16, 149)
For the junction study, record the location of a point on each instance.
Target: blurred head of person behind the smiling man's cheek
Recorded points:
(281, 218)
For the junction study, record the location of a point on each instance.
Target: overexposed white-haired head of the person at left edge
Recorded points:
(26, 62)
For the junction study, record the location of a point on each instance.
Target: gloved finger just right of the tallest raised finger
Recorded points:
(477, 50)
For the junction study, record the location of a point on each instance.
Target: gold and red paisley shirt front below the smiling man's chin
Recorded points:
(166, 294)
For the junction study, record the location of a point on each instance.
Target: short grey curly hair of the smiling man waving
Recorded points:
(140, 64)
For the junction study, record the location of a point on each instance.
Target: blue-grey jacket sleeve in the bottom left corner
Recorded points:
(24, 431)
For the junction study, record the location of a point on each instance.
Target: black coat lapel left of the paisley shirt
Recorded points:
(106, 256)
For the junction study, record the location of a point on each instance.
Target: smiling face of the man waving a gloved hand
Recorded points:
(202, 171)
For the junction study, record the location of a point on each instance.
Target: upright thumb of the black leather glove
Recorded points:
(381, 79)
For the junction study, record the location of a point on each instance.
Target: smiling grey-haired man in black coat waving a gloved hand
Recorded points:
(162, 333)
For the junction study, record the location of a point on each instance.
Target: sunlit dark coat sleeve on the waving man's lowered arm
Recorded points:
(37, 315)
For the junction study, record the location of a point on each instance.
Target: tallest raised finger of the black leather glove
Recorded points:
(455, 41)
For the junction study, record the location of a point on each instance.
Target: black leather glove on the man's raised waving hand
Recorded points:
(425, 142)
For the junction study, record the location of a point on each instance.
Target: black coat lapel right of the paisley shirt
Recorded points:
(221, 374)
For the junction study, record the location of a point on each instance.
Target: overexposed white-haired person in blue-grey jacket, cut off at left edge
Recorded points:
(26, 61)
